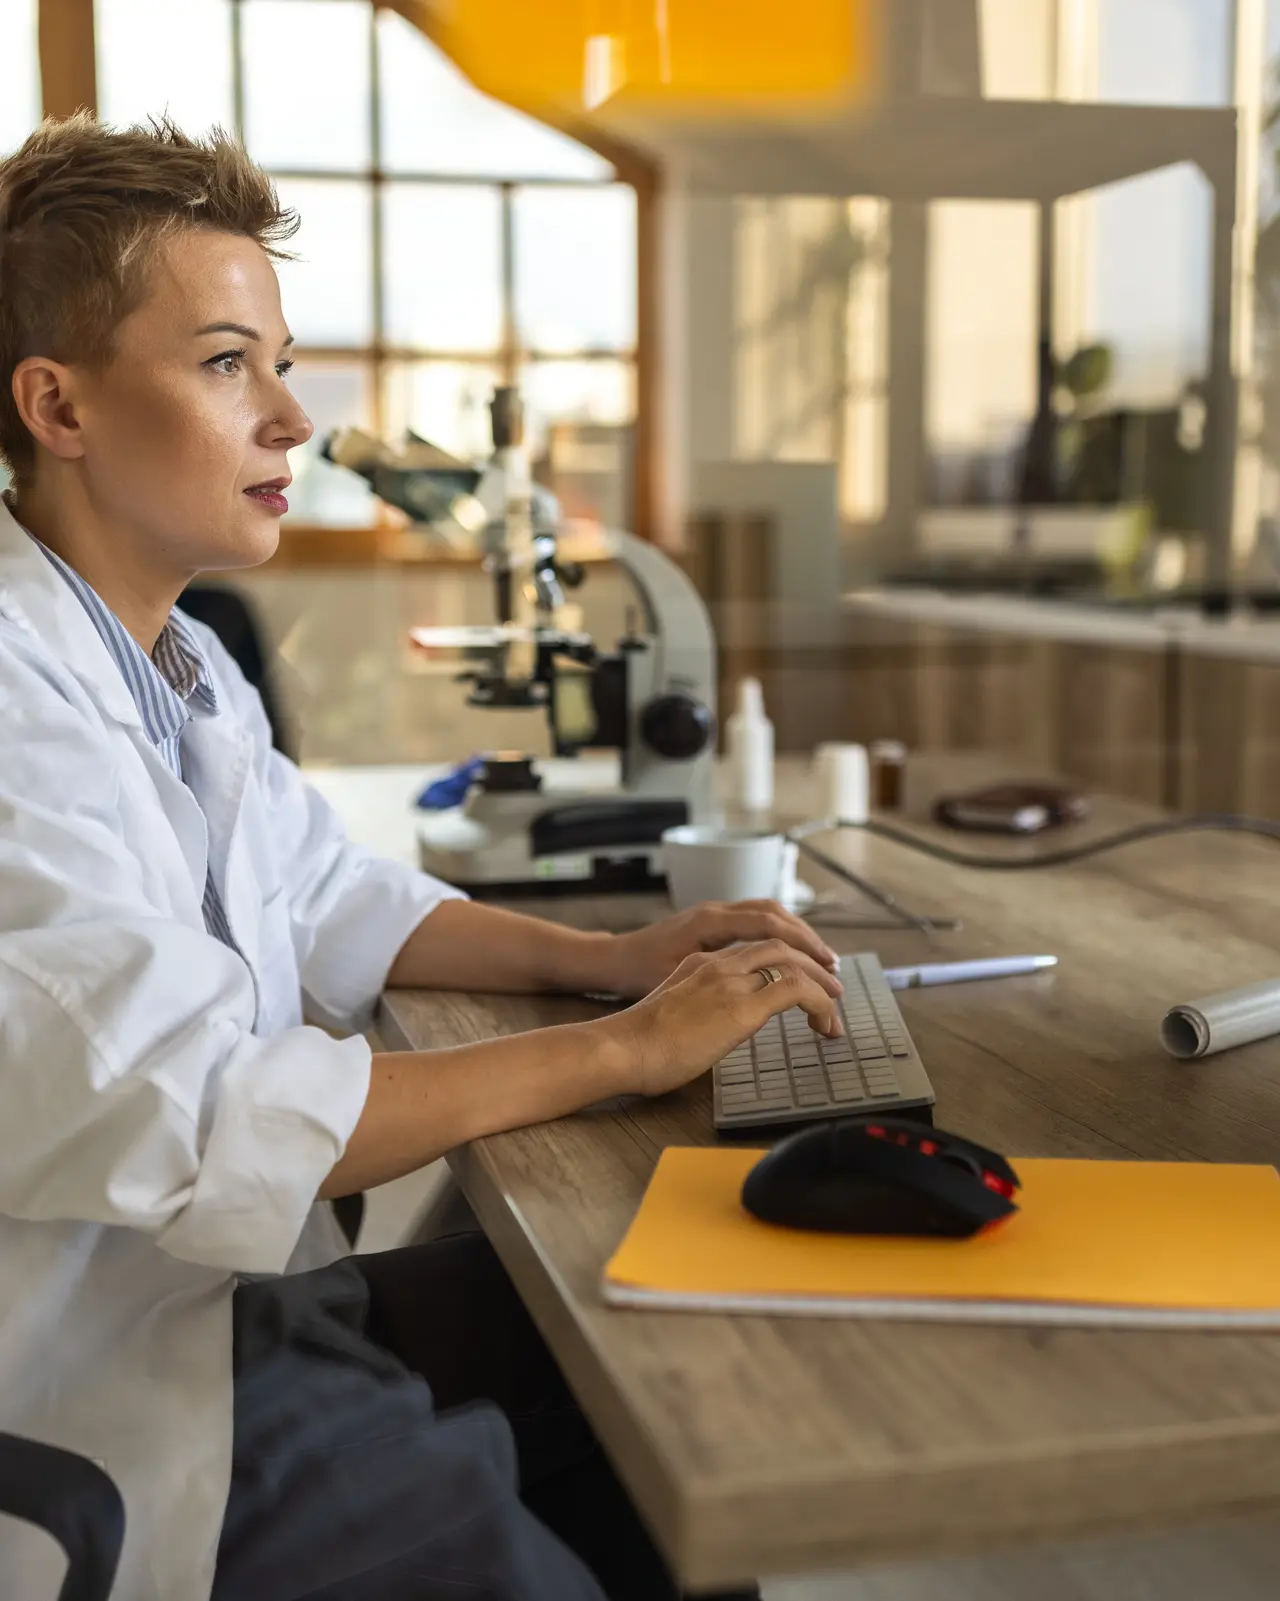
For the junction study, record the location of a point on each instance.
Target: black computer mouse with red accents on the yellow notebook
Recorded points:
(881, 1176)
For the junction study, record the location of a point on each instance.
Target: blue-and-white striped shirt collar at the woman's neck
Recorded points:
(164, 686)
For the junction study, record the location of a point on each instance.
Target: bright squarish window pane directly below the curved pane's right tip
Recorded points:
(575, 268)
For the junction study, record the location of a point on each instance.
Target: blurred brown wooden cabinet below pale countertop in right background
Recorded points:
(1182, 723)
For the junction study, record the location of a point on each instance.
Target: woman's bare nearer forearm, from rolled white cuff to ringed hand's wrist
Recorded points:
(423, 1104)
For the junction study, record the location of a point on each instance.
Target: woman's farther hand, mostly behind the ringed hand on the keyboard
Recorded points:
(639, 963)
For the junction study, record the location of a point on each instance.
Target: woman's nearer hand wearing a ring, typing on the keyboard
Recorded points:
(711, 1005)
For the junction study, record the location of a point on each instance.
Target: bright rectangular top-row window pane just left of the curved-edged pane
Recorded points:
(308, 84)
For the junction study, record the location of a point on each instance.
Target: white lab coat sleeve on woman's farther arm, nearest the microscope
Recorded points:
(351, 909)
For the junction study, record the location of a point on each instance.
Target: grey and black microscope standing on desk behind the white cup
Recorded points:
(521, 825)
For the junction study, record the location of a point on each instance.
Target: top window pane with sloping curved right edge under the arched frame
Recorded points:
(436, 121)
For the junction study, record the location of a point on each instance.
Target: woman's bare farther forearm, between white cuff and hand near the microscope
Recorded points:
(465, 945)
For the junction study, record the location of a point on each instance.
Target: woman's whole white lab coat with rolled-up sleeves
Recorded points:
(166, 1118)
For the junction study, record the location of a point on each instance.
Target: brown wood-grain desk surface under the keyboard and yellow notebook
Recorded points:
(761, 1445)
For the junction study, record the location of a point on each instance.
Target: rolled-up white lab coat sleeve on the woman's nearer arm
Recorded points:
(132, 1088)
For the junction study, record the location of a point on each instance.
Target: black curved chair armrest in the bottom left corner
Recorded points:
(76, 1503)
